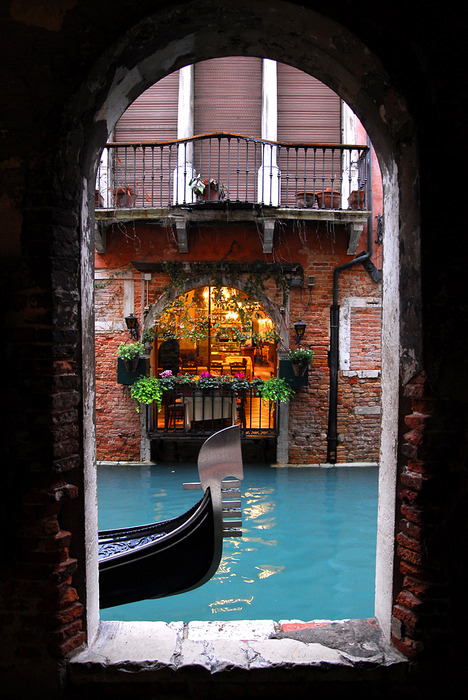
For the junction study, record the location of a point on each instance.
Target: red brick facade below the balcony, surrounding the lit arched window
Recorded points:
(319, 252)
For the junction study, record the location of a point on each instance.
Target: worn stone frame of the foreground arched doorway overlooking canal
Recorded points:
(343, 69)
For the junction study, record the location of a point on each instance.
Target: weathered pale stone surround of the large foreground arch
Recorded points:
(396, 168)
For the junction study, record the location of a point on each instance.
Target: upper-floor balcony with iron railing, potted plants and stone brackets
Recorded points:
(229, 177)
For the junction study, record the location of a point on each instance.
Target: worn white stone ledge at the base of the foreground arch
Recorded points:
(156, 648)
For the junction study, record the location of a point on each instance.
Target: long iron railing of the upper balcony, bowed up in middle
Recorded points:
(231, 168)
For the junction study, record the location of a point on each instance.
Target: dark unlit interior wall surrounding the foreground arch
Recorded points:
(58, 63)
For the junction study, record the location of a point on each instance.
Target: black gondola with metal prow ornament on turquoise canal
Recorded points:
(177, 555)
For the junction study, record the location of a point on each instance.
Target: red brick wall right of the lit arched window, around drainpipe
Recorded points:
(358, 419)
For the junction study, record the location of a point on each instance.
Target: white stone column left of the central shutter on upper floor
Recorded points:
(182, 193)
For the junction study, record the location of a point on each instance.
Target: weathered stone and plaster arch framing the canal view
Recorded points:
(163, 43)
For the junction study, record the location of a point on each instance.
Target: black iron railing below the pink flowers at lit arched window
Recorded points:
(190, 411)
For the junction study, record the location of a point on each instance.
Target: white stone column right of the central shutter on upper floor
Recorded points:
(269, 175)
